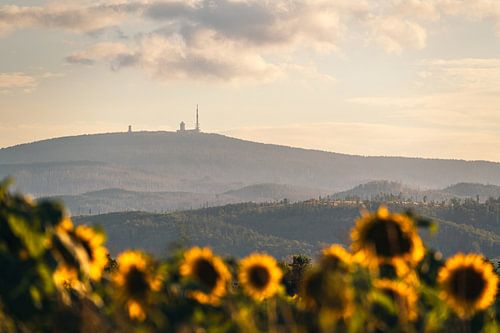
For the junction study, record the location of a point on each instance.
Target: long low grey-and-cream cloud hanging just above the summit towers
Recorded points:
(170, 58)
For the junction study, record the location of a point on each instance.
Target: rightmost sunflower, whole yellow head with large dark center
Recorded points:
(468, 284)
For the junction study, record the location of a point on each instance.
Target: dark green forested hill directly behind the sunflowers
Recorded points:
(283, 229)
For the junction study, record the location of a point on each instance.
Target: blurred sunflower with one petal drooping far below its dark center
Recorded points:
(135, 280)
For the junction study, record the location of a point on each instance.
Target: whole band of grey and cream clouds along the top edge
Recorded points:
(233, 40)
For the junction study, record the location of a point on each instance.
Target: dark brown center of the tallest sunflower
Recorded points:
(388, 239)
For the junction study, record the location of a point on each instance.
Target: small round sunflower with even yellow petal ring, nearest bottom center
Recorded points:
(260, 276)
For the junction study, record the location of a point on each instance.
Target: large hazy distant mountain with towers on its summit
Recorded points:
(168, 161)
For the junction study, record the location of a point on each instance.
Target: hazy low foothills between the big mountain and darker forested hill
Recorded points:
(119, 200)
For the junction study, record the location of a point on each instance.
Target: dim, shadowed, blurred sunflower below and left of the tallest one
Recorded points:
(327, 290)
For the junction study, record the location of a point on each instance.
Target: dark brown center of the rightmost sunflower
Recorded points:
(467, 284)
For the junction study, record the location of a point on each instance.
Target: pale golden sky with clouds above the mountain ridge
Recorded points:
(394, 77)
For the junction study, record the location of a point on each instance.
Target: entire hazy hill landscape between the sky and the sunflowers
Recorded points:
(152, 181)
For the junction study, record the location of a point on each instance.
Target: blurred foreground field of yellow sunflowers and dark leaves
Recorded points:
(57, 277)
